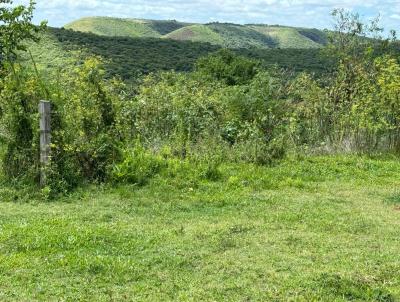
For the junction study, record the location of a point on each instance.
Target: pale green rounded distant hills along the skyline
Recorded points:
(220, 34)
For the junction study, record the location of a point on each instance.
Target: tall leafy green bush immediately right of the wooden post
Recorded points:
(92, 112)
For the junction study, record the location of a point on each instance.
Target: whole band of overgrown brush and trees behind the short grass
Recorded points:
(229, 109)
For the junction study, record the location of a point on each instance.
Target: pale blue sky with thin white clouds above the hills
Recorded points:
(307, 13)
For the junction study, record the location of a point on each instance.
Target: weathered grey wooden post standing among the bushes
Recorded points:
(45, 139)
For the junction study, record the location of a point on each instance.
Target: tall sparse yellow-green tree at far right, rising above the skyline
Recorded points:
(358, 110)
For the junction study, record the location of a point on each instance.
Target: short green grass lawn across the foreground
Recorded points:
(313, 229)
